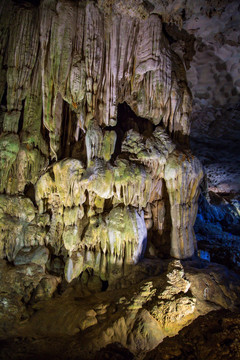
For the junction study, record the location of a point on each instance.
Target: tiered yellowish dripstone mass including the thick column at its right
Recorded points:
(99, 209)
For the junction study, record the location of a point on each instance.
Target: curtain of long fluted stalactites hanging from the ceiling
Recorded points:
(91, 64)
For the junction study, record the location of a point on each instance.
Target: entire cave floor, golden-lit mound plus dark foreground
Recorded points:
(193, 297)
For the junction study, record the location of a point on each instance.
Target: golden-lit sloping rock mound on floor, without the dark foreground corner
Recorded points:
(138, 317)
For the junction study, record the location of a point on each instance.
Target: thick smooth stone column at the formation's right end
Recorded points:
(183, 174)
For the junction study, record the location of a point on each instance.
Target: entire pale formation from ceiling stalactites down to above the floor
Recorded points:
(95, 110)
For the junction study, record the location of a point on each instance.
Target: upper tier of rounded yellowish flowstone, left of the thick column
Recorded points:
(126, 181)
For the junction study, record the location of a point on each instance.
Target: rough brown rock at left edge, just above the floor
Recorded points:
(19, 286)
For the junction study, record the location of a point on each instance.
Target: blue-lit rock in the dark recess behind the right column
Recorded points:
(217, 229)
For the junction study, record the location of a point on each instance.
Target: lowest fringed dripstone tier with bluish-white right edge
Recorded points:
(112, 240)
